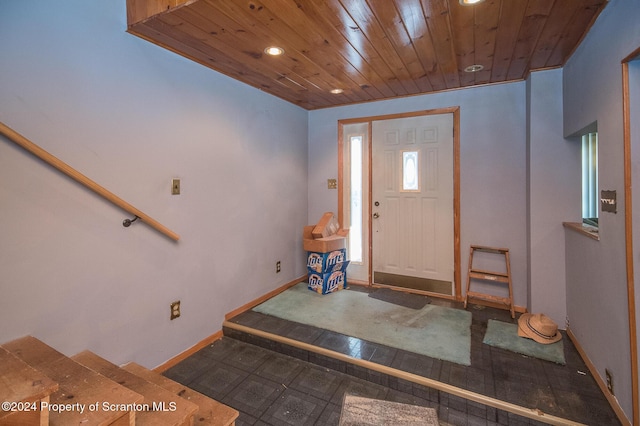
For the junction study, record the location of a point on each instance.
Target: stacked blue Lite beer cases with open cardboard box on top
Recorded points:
(327, 261)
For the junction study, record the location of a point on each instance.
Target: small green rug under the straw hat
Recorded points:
(505, 335)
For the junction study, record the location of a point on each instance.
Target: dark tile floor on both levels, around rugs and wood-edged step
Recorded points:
(275, 384)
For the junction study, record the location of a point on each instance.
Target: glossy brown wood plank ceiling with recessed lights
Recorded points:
(369, 49)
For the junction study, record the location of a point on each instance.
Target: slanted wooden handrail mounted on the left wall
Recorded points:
(79, 177)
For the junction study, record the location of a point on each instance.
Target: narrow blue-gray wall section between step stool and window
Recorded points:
(553, 187)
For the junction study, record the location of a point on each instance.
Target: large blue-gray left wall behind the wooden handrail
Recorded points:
(132, 116)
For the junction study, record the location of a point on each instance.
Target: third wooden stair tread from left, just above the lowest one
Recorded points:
(160, 406)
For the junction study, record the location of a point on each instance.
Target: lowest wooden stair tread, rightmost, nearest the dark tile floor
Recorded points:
(210, 412)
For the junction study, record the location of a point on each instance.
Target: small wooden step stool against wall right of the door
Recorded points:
(497, 277)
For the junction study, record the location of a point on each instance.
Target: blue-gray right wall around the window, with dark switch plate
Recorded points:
(596, 270)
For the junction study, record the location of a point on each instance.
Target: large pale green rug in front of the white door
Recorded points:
(434, 331)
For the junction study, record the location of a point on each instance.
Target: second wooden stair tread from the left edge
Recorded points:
(77, 385)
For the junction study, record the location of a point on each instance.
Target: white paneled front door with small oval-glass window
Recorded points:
(412, 198)
